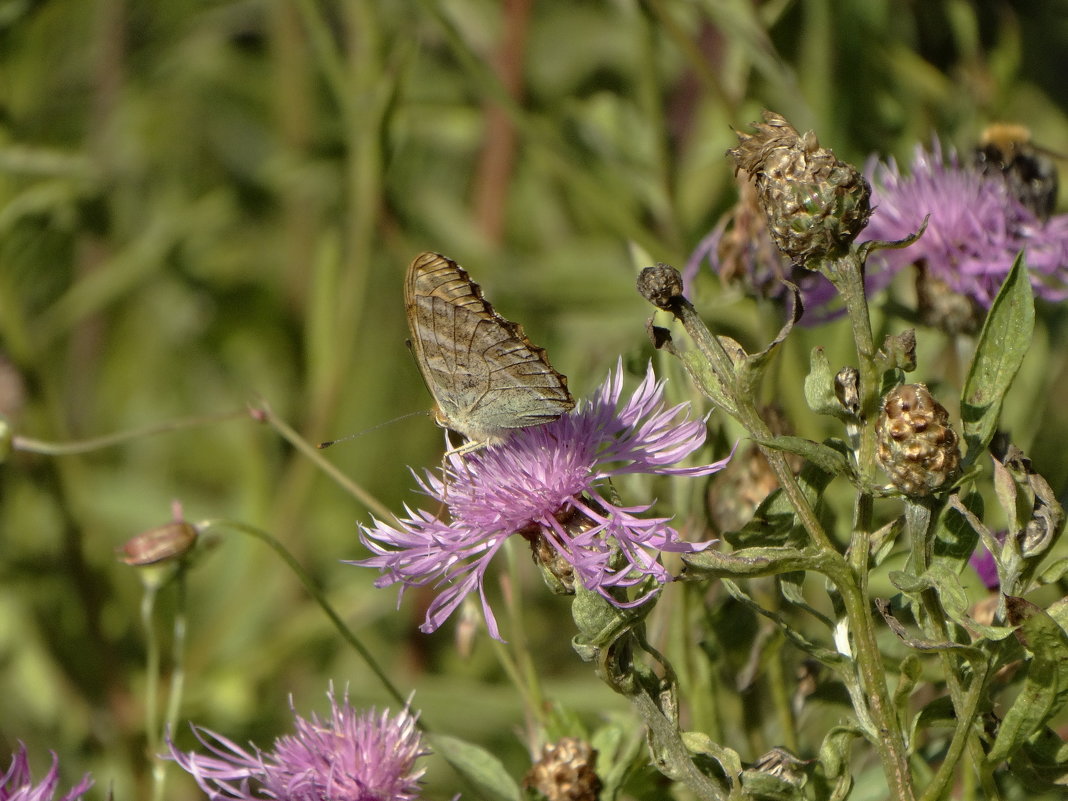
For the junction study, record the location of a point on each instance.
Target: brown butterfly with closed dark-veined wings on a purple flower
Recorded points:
(486, 378)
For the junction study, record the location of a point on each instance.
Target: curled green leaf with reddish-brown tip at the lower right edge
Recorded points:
(1046, 687)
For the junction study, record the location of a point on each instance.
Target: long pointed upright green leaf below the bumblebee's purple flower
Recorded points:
(1003, 344)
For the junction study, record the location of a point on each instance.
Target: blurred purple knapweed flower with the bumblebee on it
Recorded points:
(977, 228)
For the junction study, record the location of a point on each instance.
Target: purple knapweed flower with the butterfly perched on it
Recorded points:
(547, 483)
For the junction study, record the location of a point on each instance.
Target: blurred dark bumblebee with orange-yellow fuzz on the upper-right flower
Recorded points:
(1030, 174)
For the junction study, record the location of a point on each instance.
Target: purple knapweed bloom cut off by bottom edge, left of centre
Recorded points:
(350, 757)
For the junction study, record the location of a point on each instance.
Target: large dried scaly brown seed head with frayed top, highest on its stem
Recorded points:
(815, 205)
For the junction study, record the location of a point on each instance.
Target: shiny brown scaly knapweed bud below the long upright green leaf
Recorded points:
(917, 446)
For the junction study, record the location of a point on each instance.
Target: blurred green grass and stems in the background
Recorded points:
(206, 205)
